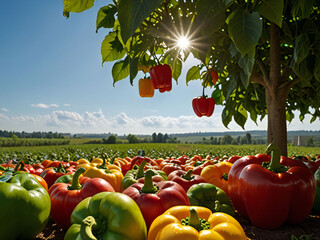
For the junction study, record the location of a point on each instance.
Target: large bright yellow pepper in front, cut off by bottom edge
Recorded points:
(195, 223)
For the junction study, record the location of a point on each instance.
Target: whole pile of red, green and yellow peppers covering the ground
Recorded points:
(161, 199)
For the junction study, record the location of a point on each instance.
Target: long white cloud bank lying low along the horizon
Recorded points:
(97, 122)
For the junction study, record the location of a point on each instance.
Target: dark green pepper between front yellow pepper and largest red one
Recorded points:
(209, 196)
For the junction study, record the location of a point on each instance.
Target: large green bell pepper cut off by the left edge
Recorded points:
(25, 206)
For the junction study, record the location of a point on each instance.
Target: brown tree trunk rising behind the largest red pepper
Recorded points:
(276, 95)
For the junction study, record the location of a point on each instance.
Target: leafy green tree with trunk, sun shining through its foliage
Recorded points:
(266, 52)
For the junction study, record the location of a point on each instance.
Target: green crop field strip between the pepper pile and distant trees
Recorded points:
(160, 150)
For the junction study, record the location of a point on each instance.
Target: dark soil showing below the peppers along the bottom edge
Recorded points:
(309, 229)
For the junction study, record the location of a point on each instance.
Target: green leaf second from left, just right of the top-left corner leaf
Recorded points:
(105, 17)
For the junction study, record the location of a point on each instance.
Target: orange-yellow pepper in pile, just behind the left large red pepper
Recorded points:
(111, 173)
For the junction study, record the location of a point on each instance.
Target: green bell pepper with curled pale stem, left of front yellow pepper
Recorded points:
(108, 216)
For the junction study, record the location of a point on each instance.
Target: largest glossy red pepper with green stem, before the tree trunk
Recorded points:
(267, 198)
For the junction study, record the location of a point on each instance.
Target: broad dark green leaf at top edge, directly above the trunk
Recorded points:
(272, 10)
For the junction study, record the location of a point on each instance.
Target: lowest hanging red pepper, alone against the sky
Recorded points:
(203, 106)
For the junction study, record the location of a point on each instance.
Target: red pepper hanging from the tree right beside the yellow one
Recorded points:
(161, 76)
